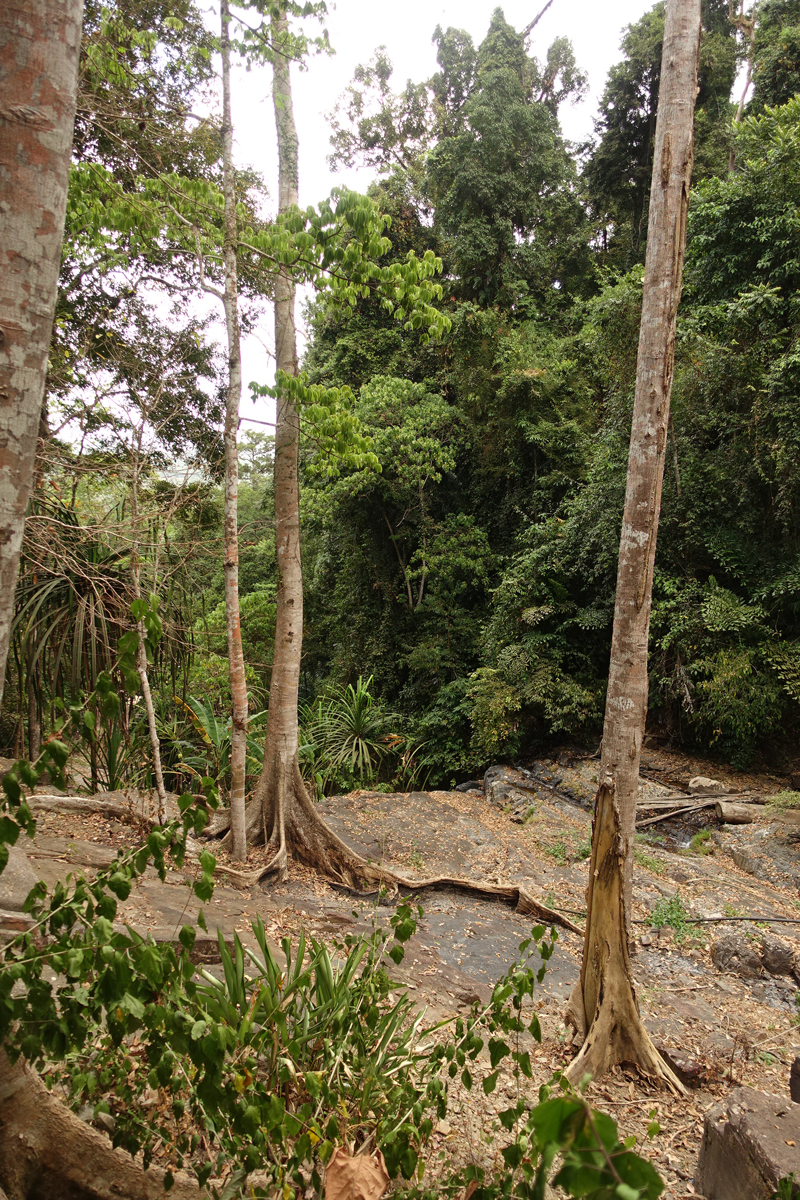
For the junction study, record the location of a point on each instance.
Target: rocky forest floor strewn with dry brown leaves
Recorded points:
(724, 1030)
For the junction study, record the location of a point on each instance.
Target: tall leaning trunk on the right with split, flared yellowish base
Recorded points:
(604, 1004)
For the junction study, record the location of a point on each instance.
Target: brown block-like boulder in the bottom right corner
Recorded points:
(750, 1144)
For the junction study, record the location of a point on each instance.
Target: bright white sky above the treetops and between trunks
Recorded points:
(357, 28)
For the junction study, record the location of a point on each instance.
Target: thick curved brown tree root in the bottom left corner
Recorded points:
(46, 1151)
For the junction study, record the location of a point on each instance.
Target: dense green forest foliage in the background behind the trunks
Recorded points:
(461, 494)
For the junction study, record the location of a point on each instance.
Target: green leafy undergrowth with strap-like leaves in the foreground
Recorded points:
(256, 1078)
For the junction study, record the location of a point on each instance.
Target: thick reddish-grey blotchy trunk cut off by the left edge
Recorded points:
(40, 45)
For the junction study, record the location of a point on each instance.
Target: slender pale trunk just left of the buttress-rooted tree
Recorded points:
(233, 619)
